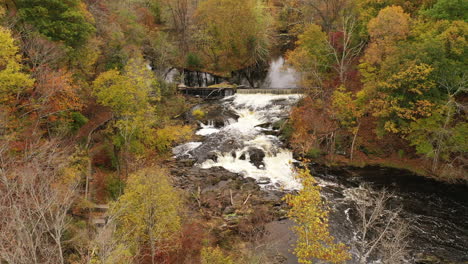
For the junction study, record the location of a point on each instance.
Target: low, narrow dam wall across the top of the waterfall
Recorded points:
(220, 90)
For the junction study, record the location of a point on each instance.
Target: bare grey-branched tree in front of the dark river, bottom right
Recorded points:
(381, 232)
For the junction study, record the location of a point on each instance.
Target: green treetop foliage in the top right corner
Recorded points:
(448, 10)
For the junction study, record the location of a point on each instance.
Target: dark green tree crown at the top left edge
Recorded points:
(59, 20)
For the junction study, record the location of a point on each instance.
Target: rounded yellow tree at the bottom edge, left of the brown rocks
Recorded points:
(147, 215)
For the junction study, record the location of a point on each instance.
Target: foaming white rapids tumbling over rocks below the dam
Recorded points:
(273, 167)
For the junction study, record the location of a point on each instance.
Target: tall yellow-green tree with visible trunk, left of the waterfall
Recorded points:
(128, 94)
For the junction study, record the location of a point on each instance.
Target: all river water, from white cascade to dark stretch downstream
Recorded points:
(249, 145)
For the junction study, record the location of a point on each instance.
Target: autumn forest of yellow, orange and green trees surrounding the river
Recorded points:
(88, 121)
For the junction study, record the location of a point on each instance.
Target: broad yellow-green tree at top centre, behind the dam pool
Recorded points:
(233, 34)
